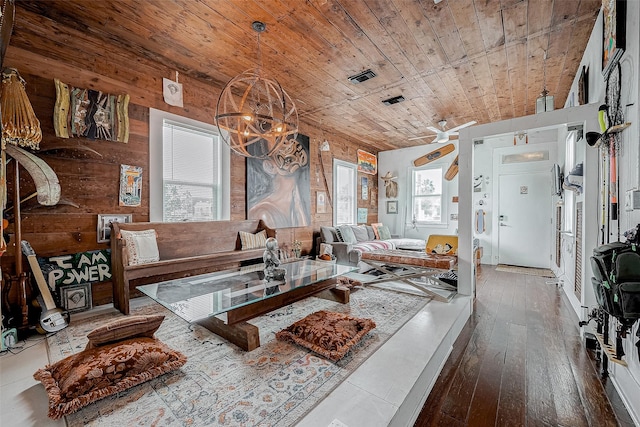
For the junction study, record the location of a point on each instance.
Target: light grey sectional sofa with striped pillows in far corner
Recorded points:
(348, 249)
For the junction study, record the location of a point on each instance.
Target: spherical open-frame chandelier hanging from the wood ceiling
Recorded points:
(254, 113)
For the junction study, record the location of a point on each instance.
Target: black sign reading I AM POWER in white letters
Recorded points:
(73, 269)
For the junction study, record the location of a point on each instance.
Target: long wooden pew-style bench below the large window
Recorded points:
(185, 249)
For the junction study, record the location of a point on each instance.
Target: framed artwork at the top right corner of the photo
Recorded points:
(614, 29)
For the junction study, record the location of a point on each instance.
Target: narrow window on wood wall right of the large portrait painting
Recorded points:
(344, 190)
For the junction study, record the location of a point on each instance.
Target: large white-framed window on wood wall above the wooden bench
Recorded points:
(189, 170)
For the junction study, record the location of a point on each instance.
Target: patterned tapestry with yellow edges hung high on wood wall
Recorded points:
(90, 114)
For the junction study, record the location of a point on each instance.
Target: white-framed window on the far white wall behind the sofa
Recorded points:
(428, 195)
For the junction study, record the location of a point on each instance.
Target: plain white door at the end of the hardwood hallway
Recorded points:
(525, 219)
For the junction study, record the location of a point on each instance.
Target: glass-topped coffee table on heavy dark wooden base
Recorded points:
(223, 301)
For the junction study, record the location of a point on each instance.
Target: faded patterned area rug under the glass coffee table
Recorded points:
(274, 385)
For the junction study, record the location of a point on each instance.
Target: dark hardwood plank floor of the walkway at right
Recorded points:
(519, 361)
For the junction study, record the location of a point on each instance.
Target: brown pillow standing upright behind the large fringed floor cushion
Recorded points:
(124, 328)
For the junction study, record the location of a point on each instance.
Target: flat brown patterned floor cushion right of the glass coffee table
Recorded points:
(327, 333)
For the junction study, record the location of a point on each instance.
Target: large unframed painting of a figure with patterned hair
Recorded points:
(278, 187)
